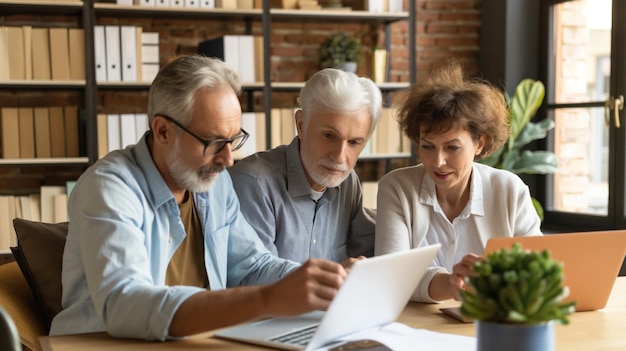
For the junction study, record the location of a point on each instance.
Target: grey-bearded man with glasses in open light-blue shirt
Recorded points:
(157, 247)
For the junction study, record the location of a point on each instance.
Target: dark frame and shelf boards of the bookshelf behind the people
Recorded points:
(89, 13)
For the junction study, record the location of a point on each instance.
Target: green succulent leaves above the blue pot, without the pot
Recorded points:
(517, 286)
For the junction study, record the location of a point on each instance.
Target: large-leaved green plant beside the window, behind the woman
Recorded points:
(522, 108)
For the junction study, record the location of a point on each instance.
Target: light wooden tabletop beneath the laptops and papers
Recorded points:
(595, 330)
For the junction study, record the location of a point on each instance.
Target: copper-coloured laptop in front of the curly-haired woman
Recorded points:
(591, 261)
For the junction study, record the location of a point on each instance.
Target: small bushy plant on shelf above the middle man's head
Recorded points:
(340, 50)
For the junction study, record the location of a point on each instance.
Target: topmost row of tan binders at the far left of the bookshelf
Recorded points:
(28, 53)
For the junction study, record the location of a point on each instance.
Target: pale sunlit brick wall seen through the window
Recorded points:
(572, 142)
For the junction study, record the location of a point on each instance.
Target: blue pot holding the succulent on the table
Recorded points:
(514, 337)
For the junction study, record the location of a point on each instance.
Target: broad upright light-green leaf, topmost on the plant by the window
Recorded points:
(528, 97)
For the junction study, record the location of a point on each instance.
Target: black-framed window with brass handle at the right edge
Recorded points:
(585, 77)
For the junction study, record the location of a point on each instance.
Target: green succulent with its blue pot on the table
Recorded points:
(515, 296)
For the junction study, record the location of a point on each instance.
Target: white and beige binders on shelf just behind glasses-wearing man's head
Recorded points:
(243, 53)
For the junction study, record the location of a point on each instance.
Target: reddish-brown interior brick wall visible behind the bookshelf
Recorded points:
(444, 29)
